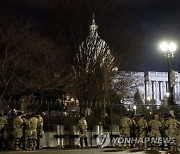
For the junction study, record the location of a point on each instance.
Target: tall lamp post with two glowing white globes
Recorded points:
(169, 49)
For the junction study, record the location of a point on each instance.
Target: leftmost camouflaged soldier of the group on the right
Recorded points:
(125, 124)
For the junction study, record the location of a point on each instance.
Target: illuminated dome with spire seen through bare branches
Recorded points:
(94, 48)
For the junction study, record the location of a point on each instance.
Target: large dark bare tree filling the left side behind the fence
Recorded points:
(30, 63)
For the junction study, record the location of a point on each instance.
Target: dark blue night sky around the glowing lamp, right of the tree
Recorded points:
(161, 21)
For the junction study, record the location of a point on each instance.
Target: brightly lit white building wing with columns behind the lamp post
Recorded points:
(155, 87)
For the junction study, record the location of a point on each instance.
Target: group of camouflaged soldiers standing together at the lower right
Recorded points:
(168, 127)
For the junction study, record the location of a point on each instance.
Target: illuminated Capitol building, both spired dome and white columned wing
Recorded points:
(153, 86)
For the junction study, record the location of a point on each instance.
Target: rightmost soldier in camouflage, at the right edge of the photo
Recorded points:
(173, 125)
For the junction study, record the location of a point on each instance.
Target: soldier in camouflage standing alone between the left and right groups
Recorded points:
(83, 131)
